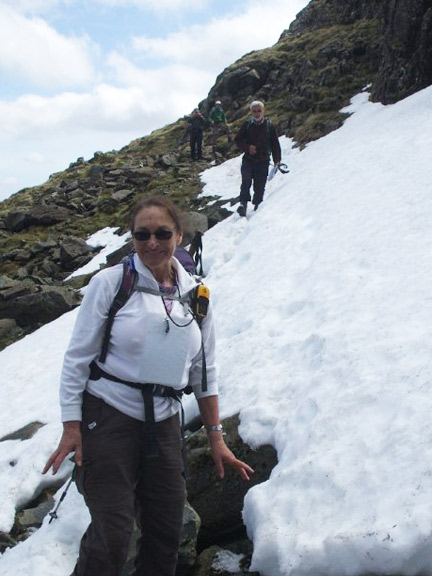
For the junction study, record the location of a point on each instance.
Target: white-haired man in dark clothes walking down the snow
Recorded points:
(257, 138)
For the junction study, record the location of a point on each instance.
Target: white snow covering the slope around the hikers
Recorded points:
(323, 318)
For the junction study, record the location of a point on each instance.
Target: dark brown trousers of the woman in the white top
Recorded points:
(120, 484)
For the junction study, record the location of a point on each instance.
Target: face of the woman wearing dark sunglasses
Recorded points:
(154, 253)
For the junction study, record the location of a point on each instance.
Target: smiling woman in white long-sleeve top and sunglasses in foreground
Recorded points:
(127, 444)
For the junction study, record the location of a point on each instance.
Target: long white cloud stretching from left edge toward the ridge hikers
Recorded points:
(146, 97)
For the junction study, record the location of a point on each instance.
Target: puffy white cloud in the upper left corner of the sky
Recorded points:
(34, 52)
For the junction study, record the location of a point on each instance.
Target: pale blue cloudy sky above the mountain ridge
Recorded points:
(82, 76)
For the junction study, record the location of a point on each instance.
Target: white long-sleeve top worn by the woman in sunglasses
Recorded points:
(140, 349)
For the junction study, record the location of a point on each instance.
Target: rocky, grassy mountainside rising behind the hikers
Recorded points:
(334, 49)
